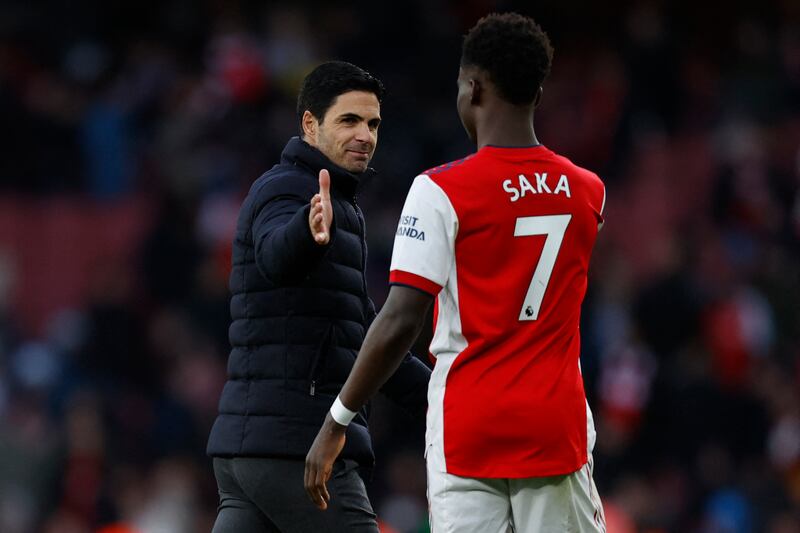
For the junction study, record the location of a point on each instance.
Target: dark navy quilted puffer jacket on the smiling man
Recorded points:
(300, 312)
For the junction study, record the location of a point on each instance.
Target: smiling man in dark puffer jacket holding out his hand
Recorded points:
(300, 311)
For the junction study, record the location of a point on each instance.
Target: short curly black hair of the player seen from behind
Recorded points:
(513, 50)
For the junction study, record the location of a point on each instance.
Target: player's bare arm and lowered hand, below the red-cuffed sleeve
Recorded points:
(387, 342)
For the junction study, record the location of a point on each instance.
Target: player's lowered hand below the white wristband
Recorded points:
(319, 462)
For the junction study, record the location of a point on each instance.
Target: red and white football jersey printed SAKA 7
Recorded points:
(503, 240)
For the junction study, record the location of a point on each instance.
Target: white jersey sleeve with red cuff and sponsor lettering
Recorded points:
(424, 244)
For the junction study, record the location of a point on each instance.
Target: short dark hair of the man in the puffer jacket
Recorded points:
(329, 80)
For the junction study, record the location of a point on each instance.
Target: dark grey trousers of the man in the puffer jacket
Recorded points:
(266, 495)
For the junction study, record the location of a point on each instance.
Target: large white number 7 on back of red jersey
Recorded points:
(554, 227)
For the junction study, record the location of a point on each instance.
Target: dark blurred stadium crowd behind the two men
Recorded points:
(131, 132)
